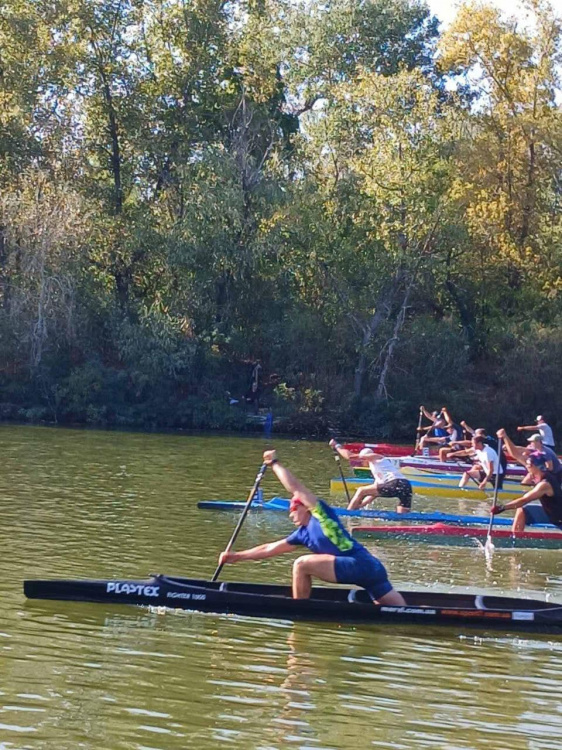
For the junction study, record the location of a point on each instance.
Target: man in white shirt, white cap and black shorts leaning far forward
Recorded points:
(389, 480)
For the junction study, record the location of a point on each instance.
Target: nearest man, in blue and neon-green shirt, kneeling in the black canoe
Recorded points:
(336, 557)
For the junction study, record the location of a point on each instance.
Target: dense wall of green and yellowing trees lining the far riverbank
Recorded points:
(368, 207)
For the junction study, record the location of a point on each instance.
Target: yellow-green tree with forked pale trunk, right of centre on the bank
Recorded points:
(379, 159)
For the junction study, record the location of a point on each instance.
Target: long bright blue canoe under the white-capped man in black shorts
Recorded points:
(281, 504)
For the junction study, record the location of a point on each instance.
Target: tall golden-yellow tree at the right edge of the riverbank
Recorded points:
(508, 181)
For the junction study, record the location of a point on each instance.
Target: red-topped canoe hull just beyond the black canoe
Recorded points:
(462, 536)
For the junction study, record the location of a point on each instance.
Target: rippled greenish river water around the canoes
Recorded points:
(97, 504)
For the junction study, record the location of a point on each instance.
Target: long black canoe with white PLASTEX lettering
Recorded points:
(341, 605)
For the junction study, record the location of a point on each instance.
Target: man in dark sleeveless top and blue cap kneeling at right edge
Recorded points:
(547, 489)
